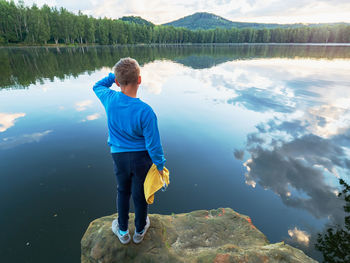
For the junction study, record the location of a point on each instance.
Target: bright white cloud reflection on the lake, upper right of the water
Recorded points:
(288, 76)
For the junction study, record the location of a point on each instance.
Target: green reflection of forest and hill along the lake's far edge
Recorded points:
(21, 67)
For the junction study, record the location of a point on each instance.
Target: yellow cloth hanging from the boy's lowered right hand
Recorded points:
(154, 181)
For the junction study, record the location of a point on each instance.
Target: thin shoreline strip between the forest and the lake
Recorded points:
(175, 44)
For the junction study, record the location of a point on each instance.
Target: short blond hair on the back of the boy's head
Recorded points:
(127, 71)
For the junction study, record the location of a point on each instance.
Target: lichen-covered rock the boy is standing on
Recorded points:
(220, 235)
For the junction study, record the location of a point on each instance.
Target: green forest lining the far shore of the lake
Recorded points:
(20, 24)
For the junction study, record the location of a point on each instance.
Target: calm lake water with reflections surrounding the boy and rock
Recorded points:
(263, 129)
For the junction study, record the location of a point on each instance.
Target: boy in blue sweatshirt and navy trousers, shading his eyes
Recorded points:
(135, 144)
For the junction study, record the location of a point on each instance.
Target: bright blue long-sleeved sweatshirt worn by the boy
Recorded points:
(132, 124)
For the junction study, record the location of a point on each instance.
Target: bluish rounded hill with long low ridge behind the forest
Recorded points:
(210, 21)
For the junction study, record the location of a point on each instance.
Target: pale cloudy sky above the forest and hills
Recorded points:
(163, 11)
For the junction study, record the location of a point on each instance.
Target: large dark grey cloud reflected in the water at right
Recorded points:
(295, 171)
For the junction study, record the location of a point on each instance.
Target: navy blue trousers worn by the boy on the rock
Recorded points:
(131, 169)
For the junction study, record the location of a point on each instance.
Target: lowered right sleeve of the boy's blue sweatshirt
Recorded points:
(152, 139)
